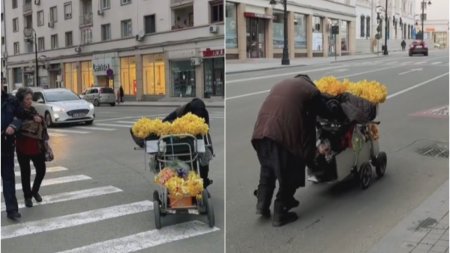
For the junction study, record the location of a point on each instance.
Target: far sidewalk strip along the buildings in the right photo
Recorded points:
(241, 66)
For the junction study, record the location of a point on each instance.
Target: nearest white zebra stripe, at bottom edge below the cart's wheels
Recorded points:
(148, 239)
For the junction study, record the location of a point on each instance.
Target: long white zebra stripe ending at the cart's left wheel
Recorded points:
(71, 220)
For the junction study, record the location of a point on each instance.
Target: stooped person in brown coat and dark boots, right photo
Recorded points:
(284, 138)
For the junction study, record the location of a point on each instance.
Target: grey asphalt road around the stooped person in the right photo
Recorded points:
(339, 216)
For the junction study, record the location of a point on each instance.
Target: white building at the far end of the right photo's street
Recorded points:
(401, 23)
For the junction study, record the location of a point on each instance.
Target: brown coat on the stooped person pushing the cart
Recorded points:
(287, 118)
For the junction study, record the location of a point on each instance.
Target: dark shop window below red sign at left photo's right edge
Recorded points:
(214, 77)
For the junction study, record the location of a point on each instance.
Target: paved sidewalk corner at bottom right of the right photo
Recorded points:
(425, 229)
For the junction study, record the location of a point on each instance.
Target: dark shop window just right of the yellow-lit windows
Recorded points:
(183, 78)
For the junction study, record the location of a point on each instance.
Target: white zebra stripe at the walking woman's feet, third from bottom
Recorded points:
(66, 196)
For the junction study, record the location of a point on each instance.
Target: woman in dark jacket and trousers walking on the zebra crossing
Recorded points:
(30, 146)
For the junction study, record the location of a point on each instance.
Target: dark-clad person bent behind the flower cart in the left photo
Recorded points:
(195, 106)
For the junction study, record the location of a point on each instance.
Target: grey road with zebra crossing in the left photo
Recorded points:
(98, 192)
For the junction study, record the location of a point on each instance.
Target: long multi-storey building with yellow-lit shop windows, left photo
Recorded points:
(153, 49)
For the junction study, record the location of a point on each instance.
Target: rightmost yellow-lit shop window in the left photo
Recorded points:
(154, 75)
